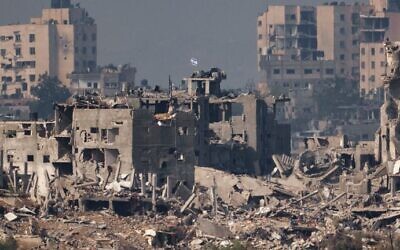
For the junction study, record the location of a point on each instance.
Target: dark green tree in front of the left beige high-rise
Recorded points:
(49, 91)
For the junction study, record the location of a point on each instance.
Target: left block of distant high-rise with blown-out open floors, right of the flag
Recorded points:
(288, 54)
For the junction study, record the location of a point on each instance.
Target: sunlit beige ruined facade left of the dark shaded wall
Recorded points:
(102, 142)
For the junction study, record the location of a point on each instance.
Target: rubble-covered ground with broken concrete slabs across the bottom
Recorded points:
(223, 211)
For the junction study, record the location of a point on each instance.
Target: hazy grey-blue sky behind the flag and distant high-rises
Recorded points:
(160, 36)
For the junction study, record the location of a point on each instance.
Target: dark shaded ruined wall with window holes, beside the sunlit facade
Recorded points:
(165, 146)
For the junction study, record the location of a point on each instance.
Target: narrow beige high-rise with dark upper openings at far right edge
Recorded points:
(376, 25)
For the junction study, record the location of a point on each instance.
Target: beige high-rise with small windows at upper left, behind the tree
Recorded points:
(61, 41)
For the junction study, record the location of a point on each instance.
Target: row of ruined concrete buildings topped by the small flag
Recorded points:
(122, 143)
